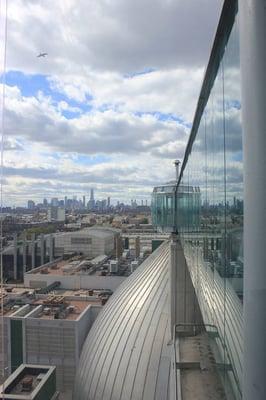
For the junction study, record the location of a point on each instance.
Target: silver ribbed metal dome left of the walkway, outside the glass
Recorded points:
(125, 355)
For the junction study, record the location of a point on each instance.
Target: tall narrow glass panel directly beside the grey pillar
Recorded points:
(233, 244)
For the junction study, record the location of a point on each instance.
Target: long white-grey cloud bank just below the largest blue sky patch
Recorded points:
(38, 120)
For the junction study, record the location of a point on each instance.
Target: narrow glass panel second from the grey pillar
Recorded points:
(217, 214)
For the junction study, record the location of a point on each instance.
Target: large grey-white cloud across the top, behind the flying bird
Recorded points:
(116, 35)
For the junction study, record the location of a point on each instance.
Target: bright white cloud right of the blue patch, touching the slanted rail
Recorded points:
(167, 91)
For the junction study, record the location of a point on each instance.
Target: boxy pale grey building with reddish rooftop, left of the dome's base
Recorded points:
(48, 329)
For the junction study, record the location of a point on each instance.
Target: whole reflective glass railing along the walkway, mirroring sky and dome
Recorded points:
(211, 225)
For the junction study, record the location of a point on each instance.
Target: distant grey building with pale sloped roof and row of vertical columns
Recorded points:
(24, 255)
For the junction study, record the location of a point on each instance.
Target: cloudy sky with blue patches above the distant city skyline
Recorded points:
(111, 105)
